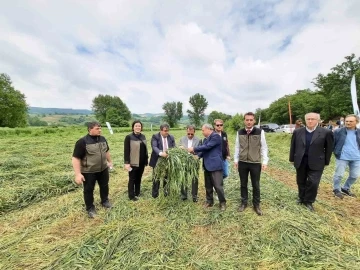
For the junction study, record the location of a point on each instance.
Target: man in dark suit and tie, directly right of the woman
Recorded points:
(160, 143)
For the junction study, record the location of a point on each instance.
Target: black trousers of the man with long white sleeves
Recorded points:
(254, 169)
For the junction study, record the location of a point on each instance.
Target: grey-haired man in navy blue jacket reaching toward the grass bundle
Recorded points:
(211, 153)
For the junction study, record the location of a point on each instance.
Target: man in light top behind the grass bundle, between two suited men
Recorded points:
(190, 140)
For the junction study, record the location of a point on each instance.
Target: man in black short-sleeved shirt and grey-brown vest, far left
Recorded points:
(91, 159)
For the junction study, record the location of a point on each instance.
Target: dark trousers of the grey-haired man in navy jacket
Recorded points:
(214, 180)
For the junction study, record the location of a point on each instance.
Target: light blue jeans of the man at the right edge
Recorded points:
(354, 168)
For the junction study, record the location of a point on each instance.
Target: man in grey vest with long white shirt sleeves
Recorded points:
(250, 147)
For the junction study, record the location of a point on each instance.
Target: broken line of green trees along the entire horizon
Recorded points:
(331, 98)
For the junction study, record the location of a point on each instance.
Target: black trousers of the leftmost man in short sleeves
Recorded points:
(89, 185)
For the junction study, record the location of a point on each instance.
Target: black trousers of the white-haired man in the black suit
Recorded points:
(308, 182)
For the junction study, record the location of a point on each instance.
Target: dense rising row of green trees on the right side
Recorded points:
(331, 97)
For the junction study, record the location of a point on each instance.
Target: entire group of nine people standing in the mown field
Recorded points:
(310, 151)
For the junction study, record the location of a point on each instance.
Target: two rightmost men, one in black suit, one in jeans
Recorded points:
(311, 150)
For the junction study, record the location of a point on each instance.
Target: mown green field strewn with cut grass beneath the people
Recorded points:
(43, 224)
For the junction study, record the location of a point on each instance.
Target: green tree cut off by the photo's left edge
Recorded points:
(13, 107)
